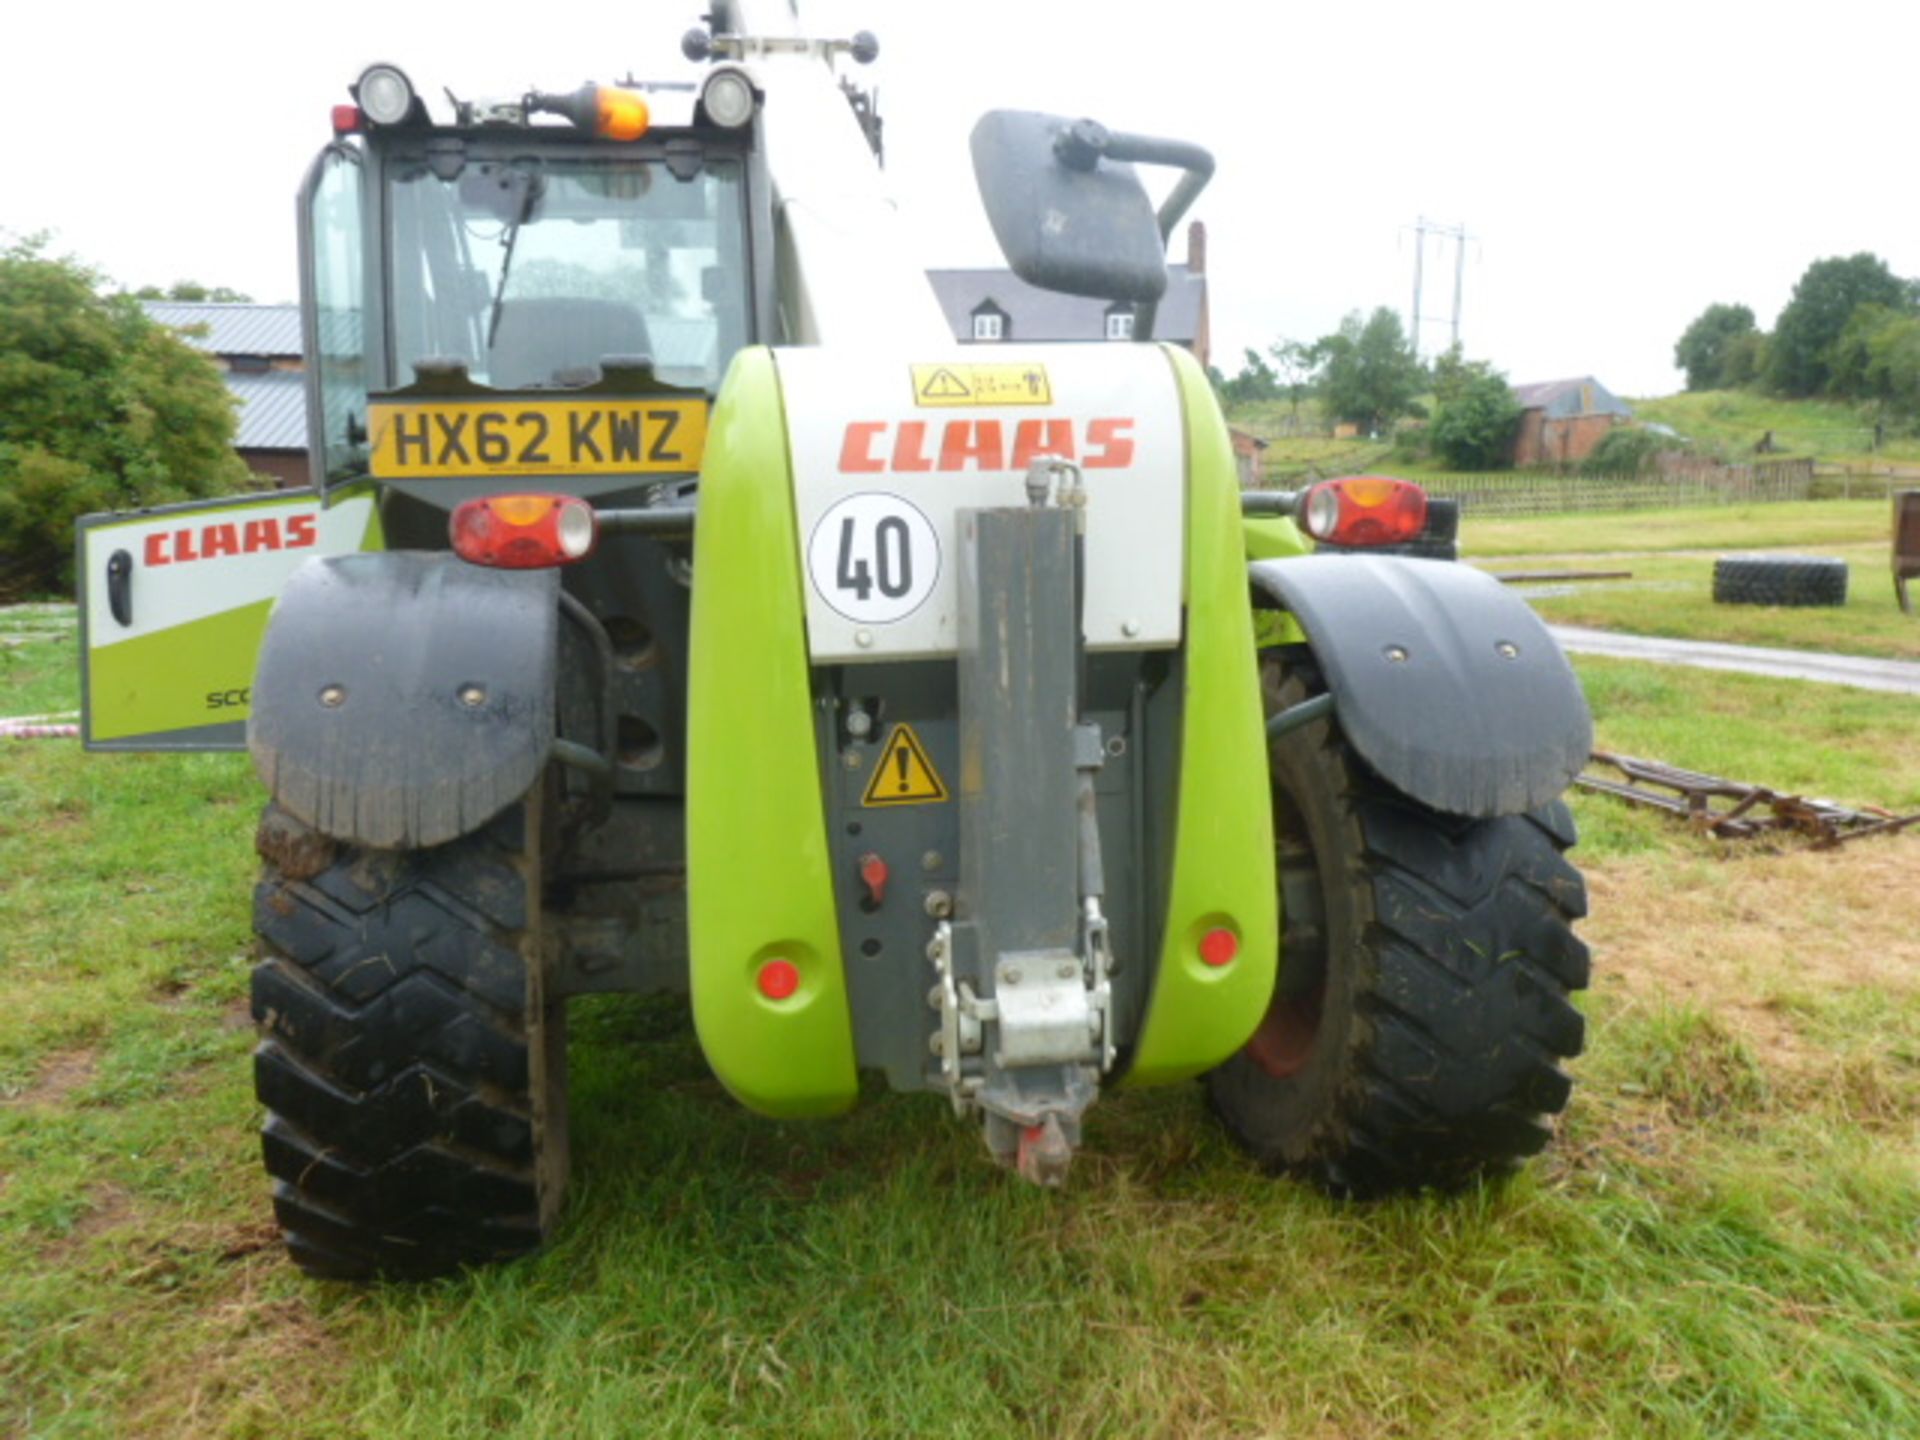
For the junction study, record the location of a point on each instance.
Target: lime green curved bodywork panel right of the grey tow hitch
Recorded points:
(1224, 871)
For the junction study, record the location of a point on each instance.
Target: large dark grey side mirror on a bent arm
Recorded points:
(1070, 210)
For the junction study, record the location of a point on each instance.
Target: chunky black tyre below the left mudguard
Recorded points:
(412, 1065)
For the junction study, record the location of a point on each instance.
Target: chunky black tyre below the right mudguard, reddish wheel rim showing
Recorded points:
(1422, 1011)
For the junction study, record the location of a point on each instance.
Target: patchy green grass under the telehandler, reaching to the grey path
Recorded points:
(1723, 1241)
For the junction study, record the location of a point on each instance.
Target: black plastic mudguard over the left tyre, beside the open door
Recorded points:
(402, 698)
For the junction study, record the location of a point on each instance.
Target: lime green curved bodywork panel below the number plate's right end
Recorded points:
(759, 871)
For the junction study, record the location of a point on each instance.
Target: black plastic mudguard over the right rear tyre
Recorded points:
(1443, 679)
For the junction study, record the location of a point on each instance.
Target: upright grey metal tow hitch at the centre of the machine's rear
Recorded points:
(1022, 971)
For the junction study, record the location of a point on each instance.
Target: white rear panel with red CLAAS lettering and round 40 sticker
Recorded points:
(888, 450)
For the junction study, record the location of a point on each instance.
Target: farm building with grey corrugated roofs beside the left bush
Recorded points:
(258, 348)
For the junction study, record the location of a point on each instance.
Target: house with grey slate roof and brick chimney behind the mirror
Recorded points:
(996, 306)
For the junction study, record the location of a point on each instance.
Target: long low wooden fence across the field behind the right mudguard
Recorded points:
(1564, 494)
